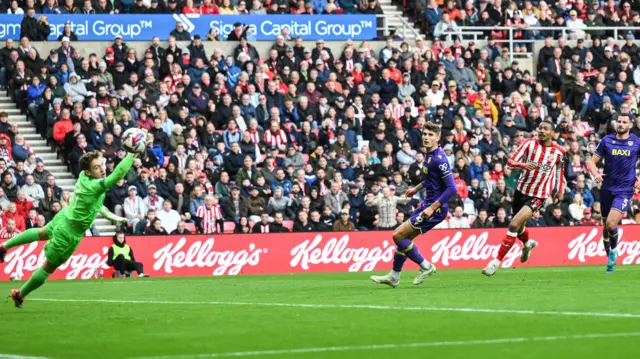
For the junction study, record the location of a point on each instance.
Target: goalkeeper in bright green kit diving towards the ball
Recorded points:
(67, 228)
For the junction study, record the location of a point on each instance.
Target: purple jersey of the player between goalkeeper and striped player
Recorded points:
(436, 177)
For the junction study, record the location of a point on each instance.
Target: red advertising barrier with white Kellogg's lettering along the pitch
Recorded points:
(206, 255)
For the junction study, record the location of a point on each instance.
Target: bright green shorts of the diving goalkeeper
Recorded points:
(62, 241)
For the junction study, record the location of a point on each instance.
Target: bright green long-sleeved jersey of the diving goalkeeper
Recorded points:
(88, 196)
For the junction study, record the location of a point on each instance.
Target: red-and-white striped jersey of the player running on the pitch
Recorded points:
(540, 181)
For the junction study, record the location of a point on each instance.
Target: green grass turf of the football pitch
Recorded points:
(128, 330)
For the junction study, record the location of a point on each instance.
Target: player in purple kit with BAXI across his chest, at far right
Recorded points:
(620, 152)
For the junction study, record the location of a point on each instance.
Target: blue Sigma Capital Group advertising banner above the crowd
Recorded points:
(145, 27)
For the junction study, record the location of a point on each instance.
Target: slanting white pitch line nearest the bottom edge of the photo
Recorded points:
(396, 346)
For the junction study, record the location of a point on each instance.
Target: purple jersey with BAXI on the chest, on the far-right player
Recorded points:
(620, 157)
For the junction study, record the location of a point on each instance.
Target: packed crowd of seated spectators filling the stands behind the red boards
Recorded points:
(306, 139)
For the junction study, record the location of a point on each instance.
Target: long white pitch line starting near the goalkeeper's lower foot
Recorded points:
(348, 306)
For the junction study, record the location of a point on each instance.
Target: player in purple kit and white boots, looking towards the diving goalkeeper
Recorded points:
(440, 186)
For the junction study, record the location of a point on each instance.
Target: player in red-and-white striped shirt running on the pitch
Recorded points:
(542, 164)
